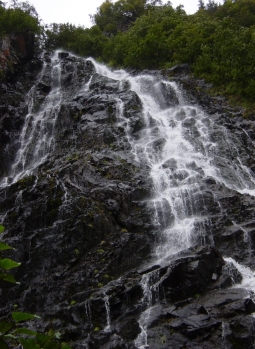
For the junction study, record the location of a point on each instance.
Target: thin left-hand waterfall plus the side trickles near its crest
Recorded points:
(37, 139)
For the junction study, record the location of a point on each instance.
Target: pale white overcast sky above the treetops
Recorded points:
(77, 11)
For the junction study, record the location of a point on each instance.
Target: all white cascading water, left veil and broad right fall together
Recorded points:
(179, 144)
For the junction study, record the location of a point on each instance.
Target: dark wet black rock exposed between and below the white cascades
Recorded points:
(83, 225)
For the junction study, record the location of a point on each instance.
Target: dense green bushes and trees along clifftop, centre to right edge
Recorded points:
(217, 41)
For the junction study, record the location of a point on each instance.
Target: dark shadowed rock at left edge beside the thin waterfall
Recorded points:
(19, 67)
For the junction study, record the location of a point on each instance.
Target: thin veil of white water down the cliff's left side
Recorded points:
(37, 136)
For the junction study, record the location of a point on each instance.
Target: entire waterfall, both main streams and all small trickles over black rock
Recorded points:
(180, 144)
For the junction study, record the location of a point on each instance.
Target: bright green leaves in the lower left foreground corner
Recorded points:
(11, 331)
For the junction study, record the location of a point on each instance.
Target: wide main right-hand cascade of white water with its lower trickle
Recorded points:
(182, 146)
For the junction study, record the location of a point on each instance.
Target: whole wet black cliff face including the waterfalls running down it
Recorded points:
(121, 197)
